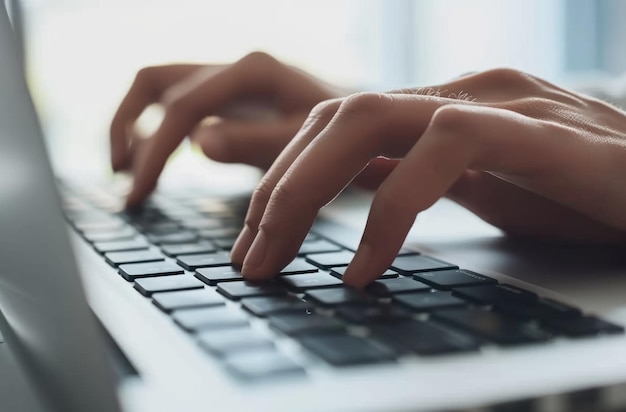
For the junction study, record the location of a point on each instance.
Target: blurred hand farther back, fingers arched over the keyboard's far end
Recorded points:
(235, 93)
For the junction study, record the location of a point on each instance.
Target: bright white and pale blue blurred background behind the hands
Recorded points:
(83, 54)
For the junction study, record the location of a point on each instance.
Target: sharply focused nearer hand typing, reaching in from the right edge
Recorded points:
(530, 157)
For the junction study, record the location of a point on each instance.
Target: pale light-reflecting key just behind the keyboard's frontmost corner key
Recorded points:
(229, 341)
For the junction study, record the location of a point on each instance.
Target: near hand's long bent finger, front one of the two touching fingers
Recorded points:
(365, 126)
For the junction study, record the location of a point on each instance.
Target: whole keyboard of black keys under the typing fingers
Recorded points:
(175, 252)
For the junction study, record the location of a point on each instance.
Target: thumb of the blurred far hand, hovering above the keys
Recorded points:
(256, 143)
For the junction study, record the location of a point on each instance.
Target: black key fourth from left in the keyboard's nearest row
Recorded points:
(491, 325)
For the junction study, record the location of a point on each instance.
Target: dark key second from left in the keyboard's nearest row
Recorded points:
(341, 350)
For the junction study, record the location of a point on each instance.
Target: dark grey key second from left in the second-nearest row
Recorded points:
(300, 324)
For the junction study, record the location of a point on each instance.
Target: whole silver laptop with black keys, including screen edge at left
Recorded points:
(105, 310)
